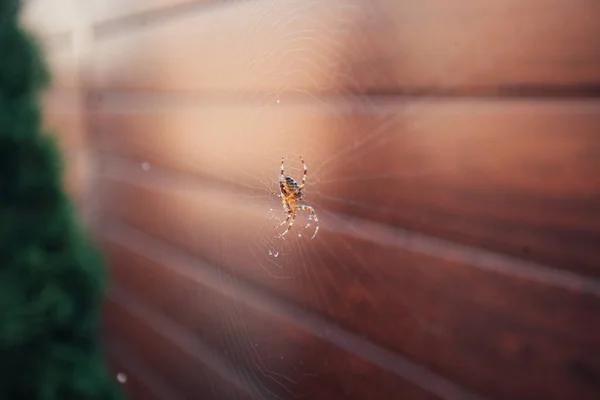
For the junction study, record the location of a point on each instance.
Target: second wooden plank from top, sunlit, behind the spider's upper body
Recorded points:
(518, 177)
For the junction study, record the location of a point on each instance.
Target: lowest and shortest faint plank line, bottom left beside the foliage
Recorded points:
(121, 353)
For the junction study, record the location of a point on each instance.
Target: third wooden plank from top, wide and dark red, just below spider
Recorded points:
(464, 318)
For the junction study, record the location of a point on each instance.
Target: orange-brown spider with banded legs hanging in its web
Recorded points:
(291, 194)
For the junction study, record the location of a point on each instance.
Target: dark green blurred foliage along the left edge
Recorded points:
(51, 276)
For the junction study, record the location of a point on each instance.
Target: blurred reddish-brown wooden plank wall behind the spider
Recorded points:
(453, 151)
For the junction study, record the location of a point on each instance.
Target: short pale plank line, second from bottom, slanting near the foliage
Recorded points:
(179, 336)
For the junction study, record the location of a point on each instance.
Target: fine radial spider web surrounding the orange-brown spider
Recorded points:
(293, 258)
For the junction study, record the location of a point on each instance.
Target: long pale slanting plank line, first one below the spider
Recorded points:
(197, 271)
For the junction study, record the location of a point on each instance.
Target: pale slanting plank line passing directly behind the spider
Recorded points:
(128, 171)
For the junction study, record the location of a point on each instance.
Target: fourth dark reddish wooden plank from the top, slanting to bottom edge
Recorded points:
(275, 355)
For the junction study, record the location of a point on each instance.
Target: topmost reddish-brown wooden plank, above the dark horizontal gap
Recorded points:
(341, 46)
